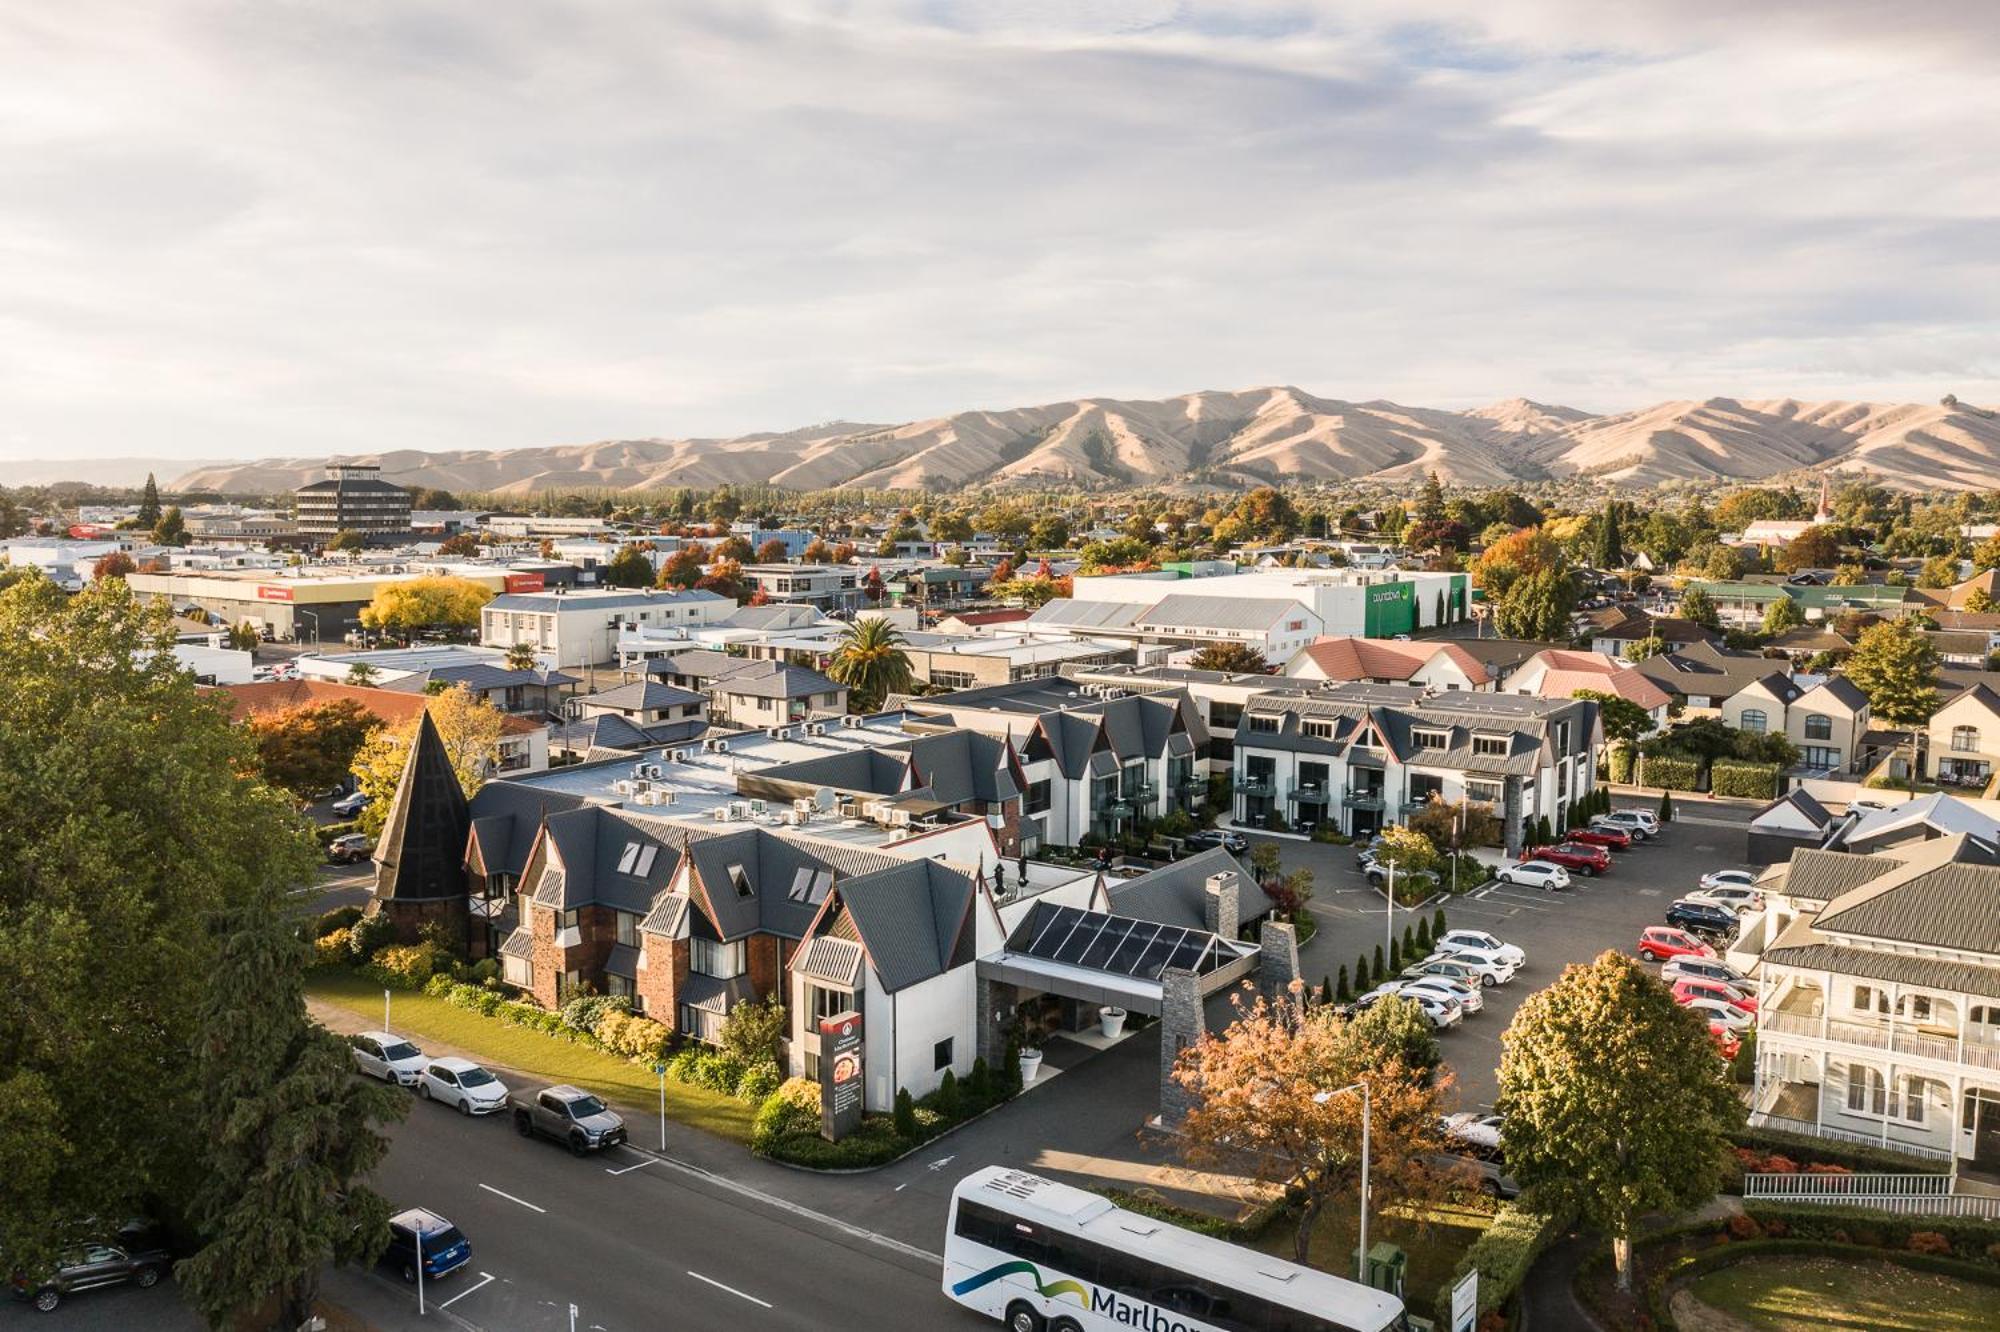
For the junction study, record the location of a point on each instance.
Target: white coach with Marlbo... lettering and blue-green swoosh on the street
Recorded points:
(1045, 1257)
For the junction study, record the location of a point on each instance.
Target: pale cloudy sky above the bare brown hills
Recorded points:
(303, 227)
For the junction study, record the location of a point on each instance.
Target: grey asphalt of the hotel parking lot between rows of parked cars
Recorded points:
(1553, 929)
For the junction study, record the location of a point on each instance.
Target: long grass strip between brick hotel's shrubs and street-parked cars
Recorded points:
(543, 1057)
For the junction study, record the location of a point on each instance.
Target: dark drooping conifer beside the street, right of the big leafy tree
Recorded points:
(289, 1133)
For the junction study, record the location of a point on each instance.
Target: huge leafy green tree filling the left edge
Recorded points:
(133, 819)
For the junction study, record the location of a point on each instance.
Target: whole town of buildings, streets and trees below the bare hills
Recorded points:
(1193, 885)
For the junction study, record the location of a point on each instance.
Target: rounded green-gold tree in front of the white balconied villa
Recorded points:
(1617, 1101)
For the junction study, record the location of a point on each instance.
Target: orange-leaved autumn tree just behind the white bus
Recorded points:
(1269, 1099)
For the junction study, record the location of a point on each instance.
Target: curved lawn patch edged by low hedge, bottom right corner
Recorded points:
(1793, 1295)
